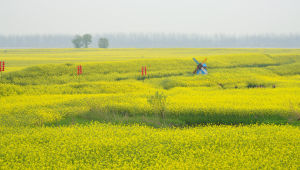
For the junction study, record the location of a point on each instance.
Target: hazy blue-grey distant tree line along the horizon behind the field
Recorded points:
(154, 40)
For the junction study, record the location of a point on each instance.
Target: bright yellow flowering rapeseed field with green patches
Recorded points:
(244, 114)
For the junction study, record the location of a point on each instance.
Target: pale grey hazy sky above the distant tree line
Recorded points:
(169, 16)
